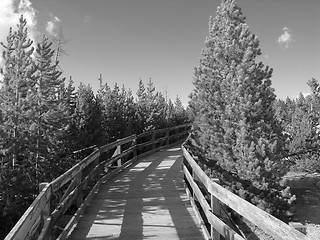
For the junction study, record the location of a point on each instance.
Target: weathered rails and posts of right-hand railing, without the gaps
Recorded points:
(271, 225)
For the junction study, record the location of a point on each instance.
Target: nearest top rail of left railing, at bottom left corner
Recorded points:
(31, 217)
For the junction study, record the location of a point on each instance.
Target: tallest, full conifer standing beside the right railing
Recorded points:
(233, 104)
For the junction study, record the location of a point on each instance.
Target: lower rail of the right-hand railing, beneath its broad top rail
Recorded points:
(219, 225)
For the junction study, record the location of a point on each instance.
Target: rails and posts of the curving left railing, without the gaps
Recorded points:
(37, 219)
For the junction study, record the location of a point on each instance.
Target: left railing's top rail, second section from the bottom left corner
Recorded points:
(72, 172)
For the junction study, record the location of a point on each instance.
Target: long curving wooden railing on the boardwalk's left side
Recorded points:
(61, 202)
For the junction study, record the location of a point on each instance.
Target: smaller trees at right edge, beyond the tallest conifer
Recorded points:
(300, 121)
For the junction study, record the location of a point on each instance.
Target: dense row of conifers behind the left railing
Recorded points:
(44, 119)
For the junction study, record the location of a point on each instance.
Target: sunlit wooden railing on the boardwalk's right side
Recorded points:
(207, 198)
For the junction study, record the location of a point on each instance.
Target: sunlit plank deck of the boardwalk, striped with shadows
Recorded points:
(146, 201)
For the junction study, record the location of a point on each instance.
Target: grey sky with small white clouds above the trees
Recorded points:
(125, 40)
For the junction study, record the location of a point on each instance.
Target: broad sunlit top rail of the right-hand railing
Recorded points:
(260, 218)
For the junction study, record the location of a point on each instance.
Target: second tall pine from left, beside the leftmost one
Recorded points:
(49, 112)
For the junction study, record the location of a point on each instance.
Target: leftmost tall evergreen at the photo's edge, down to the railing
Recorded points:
(16, 185)
